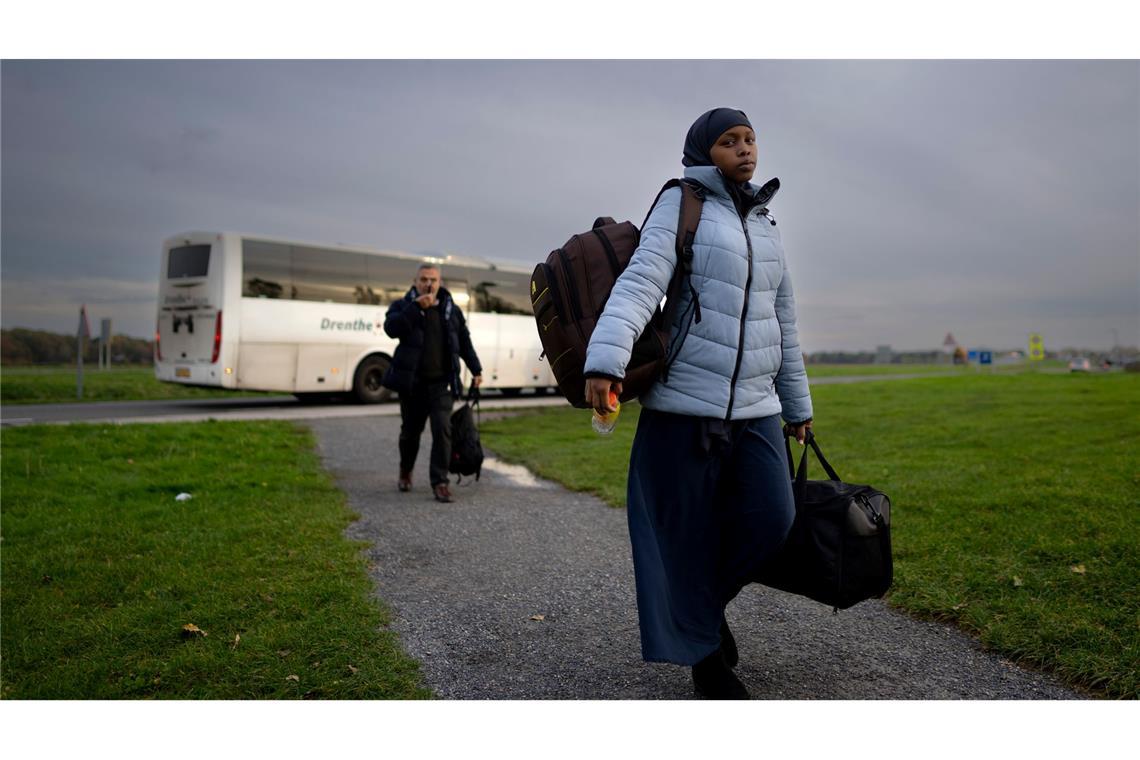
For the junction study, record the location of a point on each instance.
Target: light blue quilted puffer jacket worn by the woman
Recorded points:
(770, 378)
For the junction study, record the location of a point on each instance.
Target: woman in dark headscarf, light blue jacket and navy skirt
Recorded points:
(710, 499)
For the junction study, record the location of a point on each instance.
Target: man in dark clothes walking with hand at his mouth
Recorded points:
(426, 372)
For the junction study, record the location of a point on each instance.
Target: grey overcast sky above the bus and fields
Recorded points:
(986, 199)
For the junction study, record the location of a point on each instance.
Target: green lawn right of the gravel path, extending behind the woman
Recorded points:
(1016, 503)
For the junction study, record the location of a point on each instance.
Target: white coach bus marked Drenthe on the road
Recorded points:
(253, 313)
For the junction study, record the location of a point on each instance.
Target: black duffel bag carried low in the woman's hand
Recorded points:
(838, 551)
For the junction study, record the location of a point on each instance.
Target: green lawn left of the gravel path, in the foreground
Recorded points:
(102, 569)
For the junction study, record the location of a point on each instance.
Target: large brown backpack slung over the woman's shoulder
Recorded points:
(569, 291)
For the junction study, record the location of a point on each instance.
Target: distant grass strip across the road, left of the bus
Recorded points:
(58, 386)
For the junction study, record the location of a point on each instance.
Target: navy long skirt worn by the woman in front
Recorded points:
(703, 517)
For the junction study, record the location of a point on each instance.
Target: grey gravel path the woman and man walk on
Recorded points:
(524, 591)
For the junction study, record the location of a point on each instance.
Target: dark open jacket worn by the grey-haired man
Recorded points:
(405, 323)
